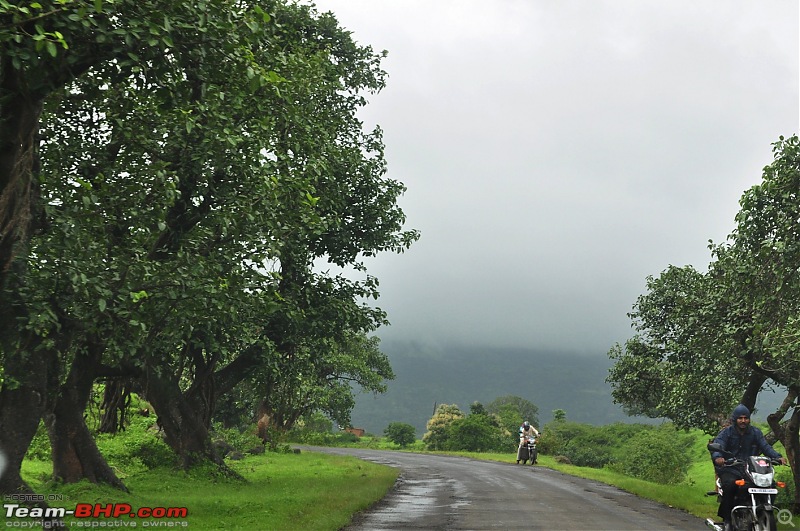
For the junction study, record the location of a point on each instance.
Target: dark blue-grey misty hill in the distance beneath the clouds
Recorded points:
(426, 377)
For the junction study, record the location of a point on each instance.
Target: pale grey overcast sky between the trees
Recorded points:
(558, 152)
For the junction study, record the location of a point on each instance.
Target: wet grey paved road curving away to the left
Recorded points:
(453, 493)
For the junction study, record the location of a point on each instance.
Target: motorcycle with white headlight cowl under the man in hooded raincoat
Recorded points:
(753, 508)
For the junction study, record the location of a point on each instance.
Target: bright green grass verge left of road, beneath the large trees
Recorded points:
(282, 491)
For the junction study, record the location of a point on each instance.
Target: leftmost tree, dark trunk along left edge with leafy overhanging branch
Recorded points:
(46, 45)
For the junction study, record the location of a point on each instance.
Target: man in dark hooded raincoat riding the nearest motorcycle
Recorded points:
(742, 440)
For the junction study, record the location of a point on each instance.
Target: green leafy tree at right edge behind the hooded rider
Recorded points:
(718, 338)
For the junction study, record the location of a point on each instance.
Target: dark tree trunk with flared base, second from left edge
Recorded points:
(75, 453)
